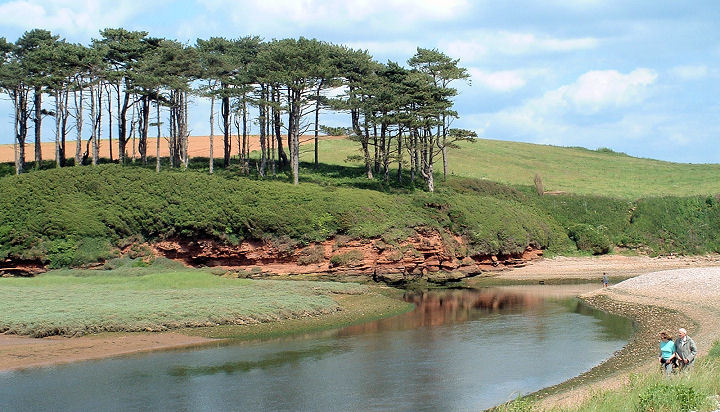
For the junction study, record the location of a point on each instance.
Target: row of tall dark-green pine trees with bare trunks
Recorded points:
(398, 115)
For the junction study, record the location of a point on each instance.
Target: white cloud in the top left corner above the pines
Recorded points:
(75, 17)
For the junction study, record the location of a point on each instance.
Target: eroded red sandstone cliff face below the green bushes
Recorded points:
(423, 256)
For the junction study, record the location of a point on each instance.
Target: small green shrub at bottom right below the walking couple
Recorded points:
(664, 396)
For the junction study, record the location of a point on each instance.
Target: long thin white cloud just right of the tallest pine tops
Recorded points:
(478, 44)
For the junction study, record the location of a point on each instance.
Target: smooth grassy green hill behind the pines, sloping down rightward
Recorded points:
(574, 170)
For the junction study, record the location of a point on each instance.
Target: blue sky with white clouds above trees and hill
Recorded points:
(639, 77)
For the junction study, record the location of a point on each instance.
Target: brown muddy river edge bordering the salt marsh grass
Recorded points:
(21, 352)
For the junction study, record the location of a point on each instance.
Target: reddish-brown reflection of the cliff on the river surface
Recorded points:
(433, 308)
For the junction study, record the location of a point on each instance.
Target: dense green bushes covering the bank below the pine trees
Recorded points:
(71, 216)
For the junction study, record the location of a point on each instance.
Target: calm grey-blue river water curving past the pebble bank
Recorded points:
(458, 350)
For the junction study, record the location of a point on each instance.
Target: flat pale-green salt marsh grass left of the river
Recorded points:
(77, 302)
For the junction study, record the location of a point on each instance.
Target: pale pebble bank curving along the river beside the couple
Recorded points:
(657, 301)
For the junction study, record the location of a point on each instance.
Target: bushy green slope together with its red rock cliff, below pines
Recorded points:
(77, 215)
